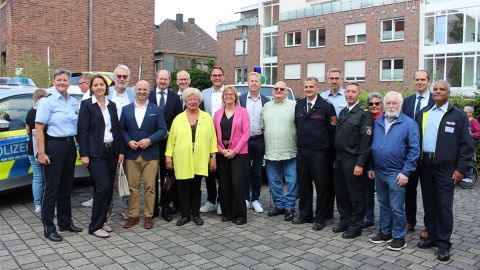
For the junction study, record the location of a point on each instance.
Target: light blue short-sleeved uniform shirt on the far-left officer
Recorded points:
(58, 114)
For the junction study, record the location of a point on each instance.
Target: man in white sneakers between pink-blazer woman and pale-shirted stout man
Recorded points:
(254, 102)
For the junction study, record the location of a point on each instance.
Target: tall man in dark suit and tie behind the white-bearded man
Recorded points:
(412, 105)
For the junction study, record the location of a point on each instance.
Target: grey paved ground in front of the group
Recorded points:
(263, 243)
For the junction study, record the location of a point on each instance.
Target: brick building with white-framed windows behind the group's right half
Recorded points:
(374, 42)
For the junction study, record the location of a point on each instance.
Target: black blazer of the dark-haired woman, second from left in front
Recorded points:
(91, 129)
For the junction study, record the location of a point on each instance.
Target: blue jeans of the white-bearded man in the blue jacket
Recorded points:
(391, 199)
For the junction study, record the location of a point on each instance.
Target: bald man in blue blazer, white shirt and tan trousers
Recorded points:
(143, 126)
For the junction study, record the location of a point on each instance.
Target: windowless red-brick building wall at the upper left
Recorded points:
(119, 34)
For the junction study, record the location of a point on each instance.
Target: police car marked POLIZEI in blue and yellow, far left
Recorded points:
(15, 170)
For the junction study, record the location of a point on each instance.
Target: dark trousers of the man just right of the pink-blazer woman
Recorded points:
(253, 179)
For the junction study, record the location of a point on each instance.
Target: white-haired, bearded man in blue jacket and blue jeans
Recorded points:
(395, 152)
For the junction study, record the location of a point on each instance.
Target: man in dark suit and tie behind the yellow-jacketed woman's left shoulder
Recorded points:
(169, 103)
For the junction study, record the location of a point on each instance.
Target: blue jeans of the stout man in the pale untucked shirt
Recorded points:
(275, 170)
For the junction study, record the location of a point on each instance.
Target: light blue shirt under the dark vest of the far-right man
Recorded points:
(432, 124)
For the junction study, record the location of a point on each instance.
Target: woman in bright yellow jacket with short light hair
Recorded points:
(191, 152)
